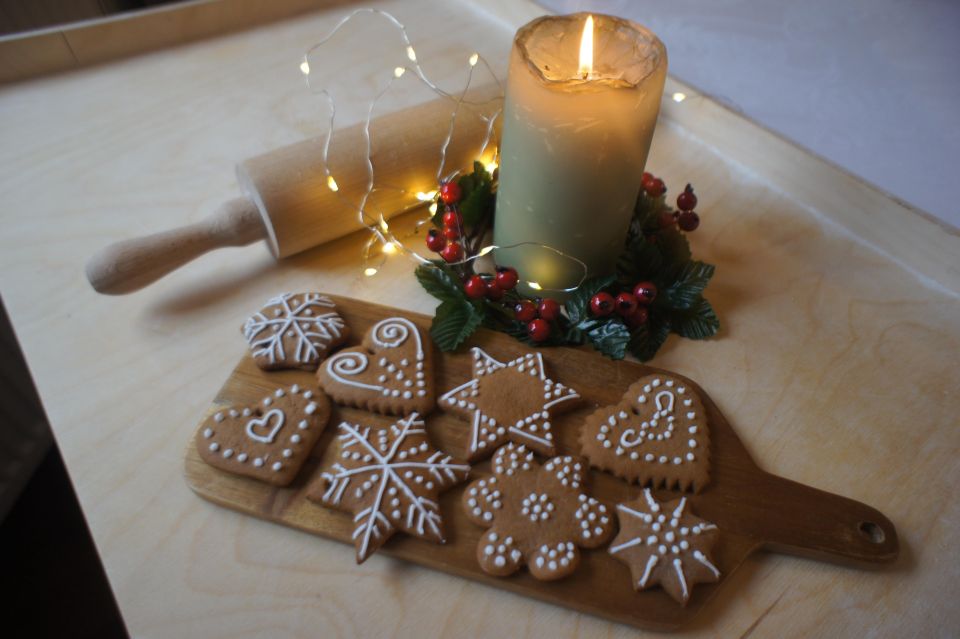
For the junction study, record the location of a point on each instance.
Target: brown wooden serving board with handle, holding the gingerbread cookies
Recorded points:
(752, 508)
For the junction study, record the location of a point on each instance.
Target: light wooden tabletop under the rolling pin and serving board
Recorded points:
(837, 364)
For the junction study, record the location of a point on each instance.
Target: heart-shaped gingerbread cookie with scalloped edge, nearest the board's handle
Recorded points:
(657, 434)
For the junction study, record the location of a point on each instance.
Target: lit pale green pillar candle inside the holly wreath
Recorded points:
(581, 104)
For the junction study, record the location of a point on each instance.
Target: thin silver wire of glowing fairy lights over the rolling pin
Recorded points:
(381, 234)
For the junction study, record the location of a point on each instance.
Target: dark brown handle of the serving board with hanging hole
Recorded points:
(801, 520)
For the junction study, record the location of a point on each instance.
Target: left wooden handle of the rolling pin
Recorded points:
(132, 264)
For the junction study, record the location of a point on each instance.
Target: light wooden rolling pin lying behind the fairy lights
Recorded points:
(288, 202)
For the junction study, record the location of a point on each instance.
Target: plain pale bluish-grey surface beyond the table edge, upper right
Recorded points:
(872, 85)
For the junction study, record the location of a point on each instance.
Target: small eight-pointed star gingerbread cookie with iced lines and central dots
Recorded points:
(665, 544)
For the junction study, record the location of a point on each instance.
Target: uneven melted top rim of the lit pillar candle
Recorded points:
(594, 83)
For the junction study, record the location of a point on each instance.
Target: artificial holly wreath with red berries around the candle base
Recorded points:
(657, 290)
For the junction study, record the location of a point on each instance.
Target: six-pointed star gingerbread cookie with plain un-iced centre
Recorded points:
(511, 401)
